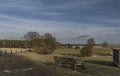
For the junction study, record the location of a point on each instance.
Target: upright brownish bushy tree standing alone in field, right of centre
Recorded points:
(87, 50)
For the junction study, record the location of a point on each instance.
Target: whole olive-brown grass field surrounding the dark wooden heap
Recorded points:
(43, 65)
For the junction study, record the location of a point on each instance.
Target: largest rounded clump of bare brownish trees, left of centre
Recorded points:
(45, 44)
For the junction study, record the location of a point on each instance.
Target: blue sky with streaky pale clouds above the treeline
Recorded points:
(64, 19)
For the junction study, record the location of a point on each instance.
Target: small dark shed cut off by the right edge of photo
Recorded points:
(116, 57)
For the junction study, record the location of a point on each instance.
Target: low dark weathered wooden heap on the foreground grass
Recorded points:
(70, 62)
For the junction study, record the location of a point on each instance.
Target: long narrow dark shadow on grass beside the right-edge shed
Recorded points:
(99, 62)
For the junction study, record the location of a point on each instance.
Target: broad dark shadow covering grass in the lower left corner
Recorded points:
(16, 62)
